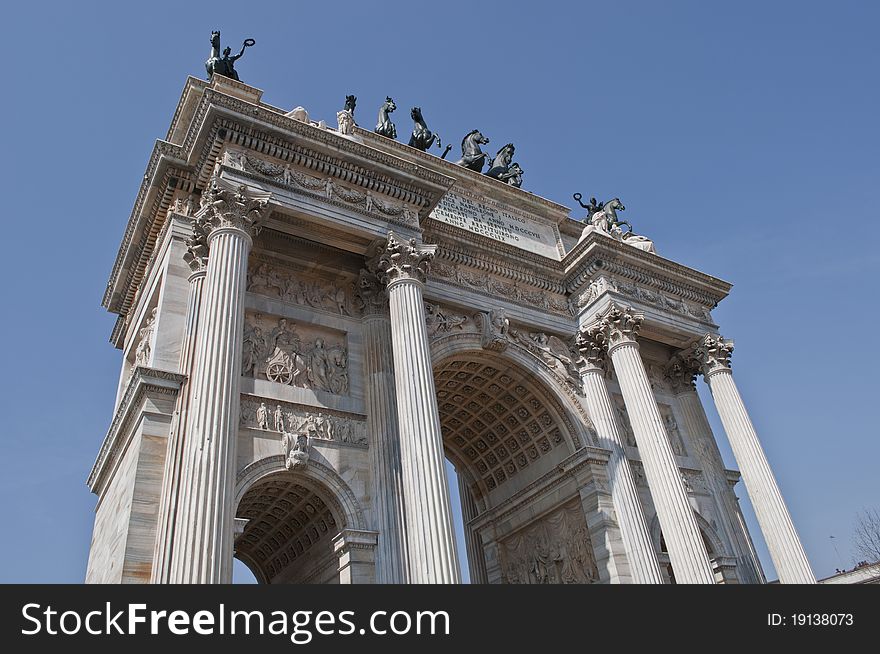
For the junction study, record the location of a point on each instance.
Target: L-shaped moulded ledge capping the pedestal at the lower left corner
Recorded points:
(143, 381)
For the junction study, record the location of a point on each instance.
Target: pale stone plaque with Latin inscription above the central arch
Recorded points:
(495, 223)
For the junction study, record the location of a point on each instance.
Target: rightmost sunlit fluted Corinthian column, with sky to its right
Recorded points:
(713, 354)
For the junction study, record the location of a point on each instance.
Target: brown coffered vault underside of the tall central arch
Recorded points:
(503, 412)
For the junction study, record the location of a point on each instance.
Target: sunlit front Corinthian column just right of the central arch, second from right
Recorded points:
(617, 330)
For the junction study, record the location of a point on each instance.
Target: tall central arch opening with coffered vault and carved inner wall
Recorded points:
(505, 432)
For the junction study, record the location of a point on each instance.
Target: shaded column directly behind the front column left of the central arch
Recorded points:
(391, 565)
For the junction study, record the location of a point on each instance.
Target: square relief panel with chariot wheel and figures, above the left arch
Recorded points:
(280, 350)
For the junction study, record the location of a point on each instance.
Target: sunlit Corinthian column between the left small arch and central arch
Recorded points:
(430, 537)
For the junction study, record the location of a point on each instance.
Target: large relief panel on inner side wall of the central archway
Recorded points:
(555, 550)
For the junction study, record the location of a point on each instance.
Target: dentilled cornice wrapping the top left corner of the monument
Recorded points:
(219, 119)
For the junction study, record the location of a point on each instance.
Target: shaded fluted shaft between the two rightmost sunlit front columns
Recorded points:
(697, 426)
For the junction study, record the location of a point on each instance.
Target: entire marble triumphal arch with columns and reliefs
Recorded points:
(314, 318)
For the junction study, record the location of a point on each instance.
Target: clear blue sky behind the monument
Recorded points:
(743, 137)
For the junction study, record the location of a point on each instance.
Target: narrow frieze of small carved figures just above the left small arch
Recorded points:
(318, 424)
